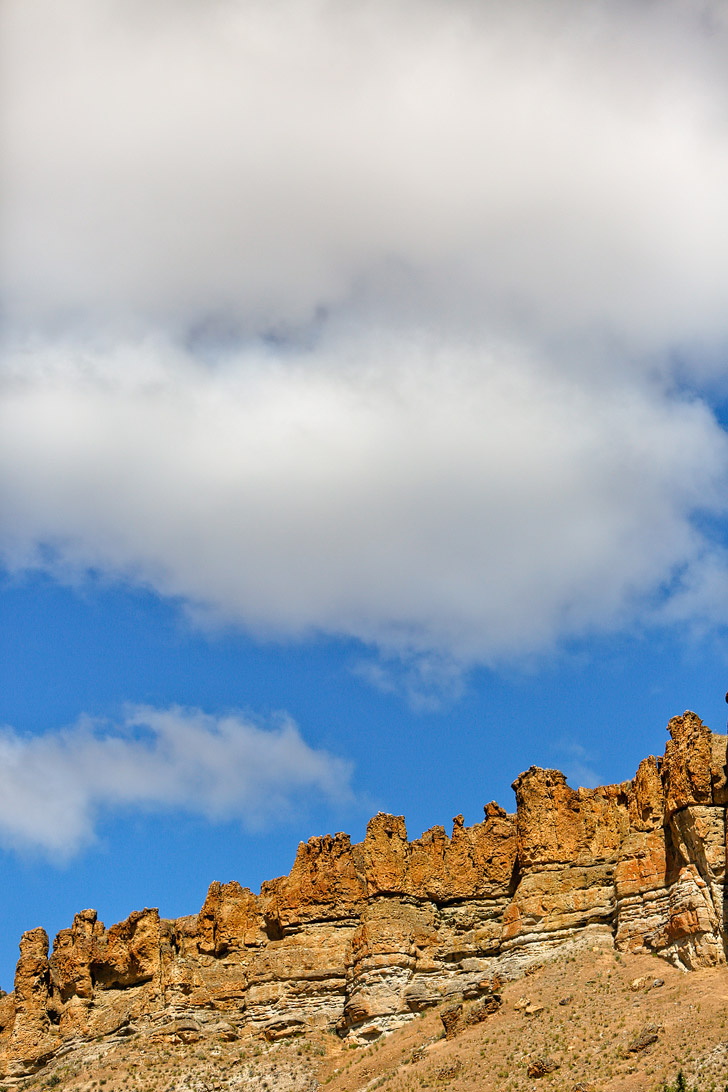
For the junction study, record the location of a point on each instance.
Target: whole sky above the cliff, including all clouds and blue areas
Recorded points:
(364, 422)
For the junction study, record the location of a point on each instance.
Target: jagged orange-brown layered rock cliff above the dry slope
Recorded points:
(359, 939)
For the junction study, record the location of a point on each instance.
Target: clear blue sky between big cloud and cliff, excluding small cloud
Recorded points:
(595, 711)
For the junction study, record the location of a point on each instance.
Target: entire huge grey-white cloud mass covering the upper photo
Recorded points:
(386, 319)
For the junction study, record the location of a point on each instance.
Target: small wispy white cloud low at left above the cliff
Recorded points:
(55, 788)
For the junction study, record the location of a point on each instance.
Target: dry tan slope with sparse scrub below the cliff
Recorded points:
(578, 1024)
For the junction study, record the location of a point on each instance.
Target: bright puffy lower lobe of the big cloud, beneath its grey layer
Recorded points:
(470, 503)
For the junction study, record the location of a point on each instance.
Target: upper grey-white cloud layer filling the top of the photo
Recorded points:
(565, 163)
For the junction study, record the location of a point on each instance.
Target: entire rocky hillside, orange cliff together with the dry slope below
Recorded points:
(576, 894)
